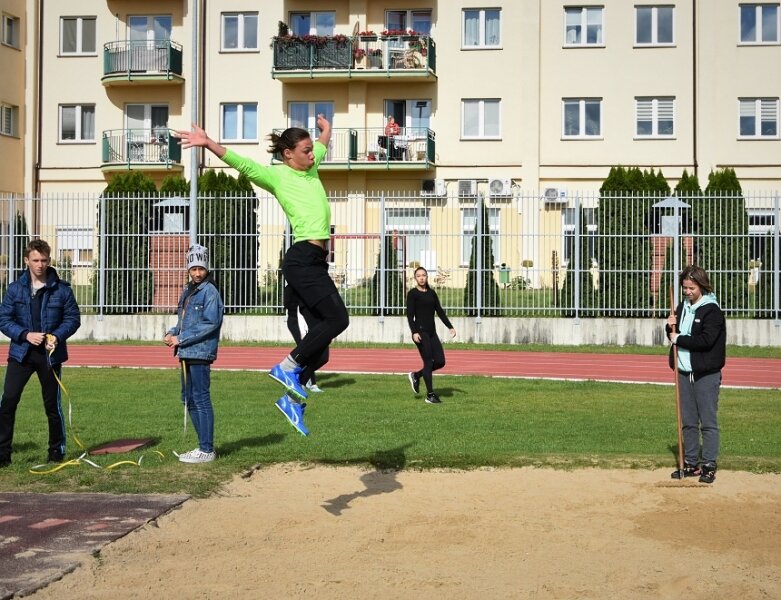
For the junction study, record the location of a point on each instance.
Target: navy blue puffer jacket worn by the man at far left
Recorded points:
(59, 315)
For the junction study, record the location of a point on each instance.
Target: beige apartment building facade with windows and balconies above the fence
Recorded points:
(517, 95)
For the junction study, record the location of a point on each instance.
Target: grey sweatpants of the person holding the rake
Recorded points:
(699, 408)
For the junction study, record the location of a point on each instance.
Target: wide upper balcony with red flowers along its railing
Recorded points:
(397, 58)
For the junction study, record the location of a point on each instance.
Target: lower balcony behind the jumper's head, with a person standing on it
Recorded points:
(370, 149)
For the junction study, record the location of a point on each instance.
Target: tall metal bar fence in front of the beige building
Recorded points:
(508, 253)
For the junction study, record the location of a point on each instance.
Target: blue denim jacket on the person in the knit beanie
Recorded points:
(200, 320)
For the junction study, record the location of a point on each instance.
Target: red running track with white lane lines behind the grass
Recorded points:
(739, 372)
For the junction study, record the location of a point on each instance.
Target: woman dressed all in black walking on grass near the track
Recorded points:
(422, 303)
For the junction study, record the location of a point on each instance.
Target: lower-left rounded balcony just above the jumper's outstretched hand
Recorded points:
(146, 149)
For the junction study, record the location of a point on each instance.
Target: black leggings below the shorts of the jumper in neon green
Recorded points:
(329, 319)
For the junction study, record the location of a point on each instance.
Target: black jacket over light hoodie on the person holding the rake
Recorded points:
(707, 341)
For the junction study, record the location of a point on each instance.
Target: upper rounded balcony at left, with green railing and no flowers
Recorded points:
(146, 61)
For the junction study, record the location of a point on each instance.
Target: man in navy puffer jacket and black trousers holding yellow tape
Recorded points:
(39, 312)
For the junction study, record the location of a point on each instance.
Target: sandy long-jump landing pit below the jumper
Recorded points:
(293, 531)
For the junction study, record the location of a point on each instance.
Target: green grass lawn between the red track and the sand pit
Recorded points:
(375, 420)
